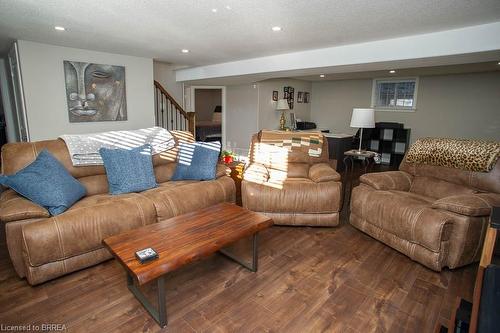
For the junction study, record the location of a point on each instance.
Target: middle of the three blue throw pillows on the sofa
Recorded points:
(129, 170)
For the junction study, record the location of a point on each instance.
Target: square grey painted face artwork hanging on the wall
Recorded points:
(95, 92)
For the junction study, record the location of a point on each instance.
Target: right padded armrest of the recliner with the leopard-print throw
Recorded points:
(467, 204)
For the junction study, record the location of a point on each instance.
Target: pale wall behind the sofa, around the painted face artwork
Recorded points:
(45, 92)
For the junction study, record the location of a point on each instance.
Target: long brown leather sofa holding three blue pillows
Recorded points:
(43, 247)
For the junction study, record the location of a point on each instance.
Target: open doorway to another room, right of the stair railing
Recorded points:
(208, 103)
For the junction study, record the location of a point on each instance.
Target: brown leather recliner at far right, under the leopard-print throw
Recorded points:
(435, 215)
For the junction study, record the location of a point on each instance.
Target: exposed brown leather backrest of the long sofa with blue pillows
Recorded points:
(16, 156)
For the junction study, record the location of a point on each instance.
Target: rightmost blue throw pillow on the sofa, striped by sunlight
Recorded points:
(197, 161)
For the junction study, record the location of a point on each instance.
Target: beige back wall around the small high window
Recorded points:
(459, 105)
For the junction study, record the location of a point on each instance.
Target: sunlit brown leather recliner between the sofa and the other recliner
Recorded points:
(293, 189)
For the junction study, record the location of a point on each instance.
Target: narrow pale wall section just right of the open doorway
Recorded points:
(242, 106)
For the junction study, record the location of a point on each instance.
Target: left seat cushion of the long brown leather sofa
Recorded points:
(82, 228)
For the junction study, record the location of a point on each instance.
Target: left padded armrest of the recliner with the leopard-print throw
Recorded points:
(388, 180)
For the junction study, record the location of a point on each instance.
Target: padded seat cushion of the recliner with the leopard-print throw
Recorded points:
(402, 214)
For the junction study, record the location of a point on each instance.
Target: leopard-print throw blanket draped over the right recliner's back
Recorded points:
(471, 155)
